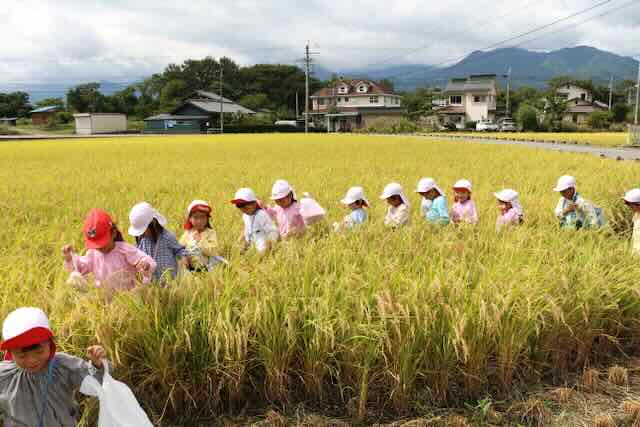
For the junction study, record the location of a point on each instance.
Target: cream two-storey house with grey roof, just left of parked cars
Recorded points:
(468, 99)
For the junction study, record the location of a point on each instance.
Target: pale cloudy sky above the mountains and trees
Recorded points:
(65, 41)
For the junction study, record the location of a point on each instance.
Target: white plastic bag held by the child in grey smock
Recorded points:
(118, 405)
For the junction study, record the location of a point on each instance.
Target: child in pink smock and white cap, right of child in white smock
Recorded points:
(287, 212)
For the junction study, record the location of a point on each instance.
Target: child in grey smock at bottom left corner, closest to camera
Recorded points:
(37, 385)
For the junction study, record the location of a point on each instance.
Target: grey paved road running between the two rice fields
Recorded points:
(605, 152)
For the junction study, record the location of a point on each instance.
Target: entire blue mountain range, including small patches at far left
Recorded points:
(529, 68)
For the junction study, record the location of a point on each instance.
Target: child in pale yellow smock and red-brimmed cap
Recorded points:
(199, 239)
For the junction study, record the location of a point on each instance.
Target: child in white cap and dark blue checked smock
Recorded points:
(147, 226)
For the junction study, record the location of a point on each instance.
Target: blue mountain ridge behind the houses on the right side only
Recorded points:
(529, 68)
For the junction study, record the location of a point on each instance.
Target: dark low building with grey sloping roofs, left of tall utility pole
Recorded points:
(196, 114)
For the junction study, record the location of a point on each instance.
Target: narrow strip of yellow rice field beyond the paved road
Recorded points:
(604, 139)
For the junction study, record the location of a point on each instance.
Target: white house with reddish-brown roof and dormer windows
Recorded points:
(355, 104)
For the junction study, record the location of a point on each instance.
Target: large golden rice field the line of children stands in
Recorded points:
(366, 323)
